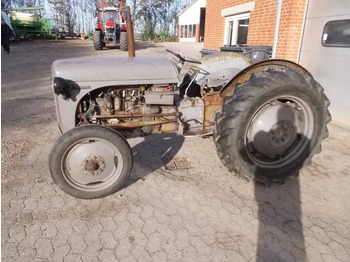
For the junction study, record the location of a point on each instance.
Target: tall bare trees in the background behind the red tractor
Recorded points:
(156, 19)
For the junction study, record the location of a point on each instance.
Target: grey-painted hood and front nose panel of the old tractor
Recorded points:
(91, 74)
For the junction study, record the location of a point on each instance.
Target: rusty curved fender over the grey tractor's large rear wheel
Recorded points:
(246, 73)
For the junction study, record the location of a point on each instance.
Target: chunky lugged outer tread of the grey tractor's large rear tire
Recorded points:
(234, 106)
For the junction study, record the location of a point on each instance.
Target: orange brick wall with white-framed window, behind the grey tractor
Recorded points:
(230, 20)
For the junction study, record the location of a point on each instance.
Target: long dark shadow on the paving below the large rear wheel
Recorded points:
(280, 222)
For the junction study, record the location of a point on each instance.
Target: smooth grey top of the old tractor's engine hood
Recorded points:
(118, 70)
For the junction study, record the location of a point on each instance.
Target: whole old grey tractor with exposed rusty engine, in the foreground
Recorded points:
(267, 119)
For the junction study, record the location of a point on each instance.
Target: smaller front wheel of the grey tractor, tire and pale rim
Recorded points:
(90, 161)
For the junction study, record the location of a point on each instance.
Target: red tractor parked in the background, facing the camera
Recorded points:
(110, 27)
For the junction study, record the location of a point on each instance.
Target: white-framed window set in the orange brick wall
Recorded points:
(236, 29)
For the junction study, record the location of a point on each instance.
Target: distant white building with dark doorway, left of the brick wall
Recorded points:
(192, 22)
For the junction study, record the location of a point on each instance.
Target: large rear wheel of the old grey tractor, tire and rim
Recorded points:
(272, 124)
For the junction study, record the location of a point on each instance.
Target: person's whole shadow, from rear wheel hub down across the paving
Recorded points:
(280, 230)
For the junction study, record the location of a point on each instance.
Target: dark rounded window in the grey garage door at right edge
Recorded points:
(336, 33)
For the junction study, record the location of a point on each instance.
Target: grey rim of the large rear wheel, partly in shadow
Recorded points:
(279, 132)
